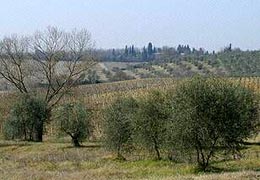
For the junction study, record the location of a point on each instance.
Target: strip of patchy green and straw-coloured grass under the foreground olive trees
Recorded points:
(53, 160)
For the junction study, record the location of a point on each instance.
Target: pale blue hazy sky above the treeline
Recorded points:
(211, 24)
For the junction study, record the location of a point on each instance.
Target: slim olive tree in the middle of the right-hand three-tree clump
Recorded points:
(151, 122)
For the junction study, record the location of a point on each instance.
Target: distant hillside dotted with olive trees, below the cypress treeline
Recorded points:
(231, 63)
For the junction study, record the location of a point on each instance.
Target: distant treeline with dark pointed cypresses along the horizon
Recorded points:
(227, 62)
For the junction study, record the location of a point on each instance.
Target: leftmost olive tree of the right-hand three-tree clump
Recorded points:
(118, 126)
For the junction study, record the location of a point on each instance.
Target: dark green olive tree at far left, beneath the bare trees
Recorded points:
(26, 119)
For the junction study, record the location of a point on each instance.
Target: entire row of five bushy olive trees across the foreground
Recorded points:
(199, 119)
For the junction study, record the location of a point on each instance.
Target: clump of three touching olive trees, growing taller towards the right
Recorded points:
(201, 118)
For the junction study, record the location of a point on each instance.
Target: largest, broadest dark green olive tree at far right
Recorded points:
(210, 113)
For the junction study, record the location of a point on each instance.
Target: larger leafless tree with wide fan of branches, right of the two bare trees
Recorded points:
(62, 58)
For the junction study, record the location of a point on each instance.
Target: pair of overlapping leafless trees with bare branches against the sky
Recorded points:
(56, 58)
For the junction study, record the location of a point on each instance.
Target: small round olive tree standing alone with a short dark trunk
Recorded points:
(74, 120)
